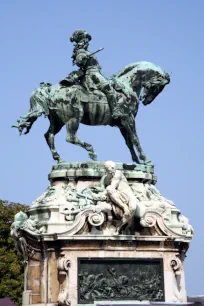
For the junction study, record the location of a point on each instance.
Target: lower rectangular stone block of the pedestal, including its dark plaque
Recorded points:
(82, 269)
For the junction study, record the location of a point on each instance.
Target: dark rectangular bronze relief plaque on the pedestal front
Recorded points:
(109, 279)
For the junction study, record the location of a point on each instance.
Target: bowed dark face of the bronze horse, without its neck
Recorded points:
(153, 86)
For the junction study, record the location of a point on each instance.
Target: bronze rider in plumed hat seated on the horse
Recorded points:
(89, 75)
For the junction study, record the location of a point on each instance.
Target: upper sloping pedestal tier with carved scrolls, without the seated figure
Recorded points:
(66, 207)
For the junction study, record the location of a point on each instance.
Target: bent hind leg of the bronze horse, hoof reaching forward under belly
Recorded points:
(72, 126)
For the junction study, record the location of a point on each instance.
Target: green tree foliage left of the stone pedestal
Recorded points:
(11, 266)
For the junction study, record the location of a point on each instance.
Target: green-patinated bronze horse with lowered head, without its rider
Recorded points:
(73, 105)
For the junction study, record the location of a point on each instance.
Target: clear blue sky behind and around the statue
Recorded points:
(35, 47)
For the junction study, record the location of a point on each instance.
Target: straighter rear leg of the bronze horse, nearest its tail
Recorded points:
(49, 136)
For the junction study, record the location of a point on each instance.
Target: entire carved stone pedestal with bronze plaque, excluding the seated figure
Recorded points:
(74, 254)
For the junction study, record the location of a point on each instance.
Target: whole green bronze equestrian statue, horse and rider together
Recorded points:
(86, 96)
